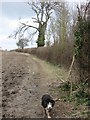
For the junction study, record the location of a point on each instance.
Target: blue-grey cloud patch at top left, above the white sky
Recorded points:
(15, 10)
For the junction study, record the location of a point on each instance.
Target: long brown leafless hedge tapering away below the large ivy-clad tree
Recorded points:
(53, 54)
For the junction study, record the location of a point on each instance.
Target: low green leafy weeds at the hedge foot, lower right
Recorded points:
(79, 93)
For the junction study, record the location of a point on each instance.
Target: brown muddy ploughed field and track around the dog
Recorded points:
(24, 80)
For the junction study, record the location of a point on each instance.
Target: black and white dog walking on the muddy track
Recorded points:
(47, 103)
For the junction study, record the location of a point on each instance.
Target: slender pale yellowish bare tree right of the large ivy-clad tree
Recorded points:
(62, 22)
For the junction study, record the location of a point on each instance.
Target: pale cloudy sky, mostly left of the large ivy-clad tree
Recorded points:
(10, 12)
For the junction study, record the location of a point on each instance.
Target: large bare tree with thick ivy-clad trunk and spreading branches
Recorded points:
(43, 11)
